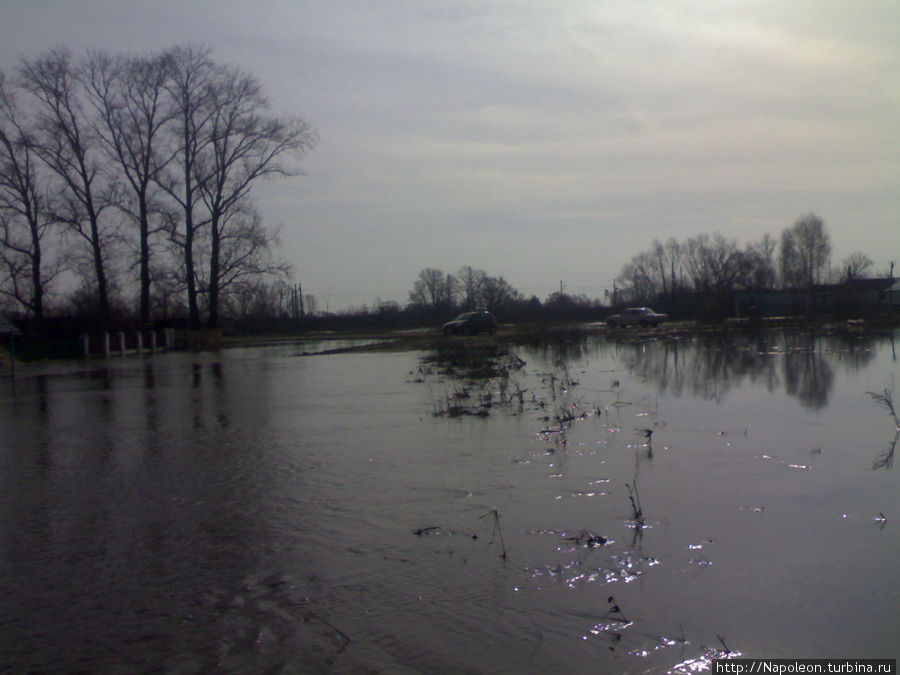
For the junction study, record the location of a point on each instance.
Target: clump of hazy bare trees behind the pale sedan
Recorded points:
(799, 259)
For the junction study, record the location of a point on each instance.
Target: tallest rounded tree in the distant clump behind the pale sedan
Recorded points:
(805, 252)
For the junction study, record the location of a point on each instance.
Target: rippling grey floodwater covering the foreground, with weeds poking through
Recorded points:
(259, 510)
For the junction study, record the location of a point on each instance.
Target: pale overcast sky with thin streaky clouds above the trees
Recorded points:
(546, 142)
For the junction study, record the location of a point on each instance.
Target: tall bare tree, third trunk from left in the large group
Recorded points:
(132, 111)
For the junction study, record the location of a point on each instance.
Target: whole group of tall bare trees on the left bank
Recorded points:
(131, 175)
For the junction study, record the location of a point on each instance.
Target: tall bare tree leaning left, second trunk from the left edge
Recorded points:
(67, 145)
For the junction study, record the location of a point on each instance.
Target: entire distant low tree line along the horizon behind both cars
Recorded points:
(695, 277)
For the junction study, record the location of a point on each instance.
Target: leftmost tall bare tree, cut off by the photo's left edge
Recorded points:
(25, 214)
